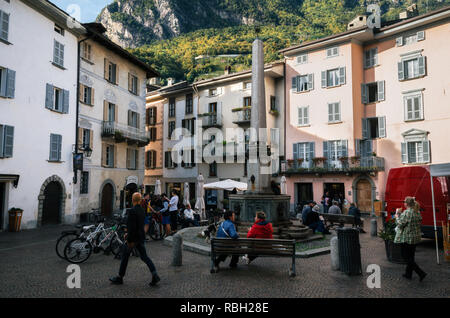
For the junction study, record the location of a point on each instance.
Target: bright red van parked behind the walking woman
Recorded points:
(415, 182)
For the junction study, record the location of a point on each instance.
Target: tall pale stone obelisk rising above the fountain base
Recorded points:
(259, 182)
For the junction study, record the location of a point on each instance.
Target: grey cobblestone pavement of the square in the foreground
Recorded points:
(29, 267)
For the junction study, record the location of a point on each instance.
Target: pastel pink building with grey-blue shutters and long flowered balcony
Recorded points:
(364, 101)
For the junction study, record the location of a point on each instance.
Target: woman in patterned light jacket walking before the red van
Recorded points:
(408, 234)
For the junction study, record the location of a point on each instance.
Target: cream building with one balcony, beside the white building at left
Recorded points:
(111, 123)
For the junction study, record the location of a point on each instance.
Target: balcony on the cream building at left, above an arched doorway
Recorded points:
(124, 133)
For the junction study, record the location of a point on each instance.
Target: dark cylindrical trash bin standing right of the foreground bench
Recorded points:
(349, 251)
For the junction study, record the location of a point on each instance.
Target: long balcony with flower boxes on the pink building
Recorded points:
(344, 165)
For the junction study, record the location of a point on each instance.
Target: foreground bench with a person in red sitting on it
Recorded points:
(254, 247)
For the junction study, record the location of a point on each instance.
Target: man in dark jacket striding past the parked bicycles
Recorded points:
(135, 237)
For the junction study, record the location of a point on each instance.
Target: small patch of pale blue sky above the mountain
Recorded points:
(82, 10)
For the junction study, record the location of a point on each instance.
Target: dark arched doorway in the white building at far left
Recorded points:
(51, 210)
